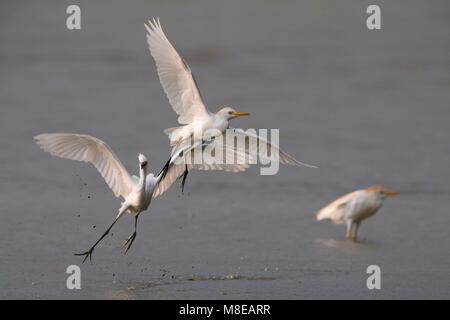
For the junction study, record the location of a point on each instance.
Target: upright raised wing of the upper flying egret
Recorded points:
(175, 76)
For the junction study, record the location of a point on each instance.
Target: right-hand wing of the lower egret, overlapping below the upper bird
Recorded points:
(183, 160)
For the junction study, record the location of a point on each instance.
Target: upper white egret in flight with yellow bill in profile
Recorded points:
(184, 96)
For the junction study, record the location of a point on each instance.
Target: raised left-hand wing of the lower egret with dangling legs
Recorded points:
(89, 149)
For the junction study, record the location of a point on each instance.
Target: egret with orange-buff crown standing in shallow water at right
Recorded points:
(355, 207)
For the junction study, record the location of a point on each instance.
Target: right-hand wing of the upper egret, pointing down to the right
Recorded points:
(259, 146)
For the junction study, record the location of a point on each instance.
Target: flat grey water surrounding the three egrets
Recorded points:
(368, 107)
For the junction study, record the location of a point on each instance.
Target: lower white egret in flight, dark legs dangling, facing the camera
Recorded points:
(137, 192)
